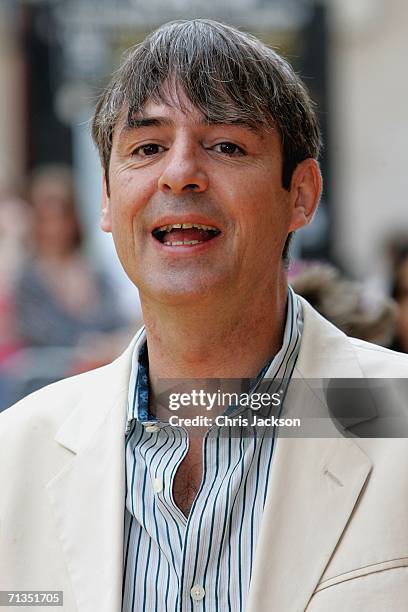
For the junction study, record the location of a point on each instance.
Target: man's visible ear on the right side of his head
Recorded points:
(305, 192)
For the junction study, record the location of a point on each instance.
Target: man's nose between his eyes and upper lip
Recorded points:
(182, 171)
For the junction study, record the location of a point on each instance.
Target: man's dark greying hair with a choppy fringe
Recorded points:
(228, 75)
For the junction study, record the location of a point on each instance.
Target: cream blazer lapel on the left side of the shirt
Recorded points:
(88, 494)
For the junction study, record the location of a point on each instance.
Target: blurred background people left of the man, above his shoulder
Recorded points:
(59, 314)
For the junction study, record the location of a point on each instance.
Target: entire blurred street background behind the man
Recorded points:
(65, 303)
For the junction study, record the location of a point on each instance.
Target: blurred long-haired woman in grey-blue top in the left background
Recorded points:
(61, 300)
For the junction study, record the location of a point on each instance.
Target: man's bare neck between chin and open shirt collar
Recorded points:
(229, 338)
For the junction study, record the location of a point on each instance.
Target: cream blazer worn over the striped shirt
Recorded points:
(334, 534)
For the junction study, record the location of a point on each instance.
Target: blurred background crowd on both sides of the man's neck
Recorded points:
(60, 314)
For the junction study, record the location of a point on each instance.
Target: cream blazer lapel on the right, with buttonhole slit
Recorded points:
(315, 482)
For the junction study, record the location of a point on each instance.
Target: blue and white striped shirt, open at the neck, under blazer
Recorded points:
(202, 562)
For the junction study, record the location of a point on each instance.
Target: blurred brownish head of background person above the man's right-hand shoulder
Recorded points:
(353, 308)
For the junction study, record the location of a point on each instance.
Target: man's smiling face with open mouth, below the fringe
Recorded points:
(172, 168)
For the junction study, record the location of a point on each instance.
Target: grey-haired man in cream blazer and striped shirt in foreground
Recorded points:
(209, 144)
